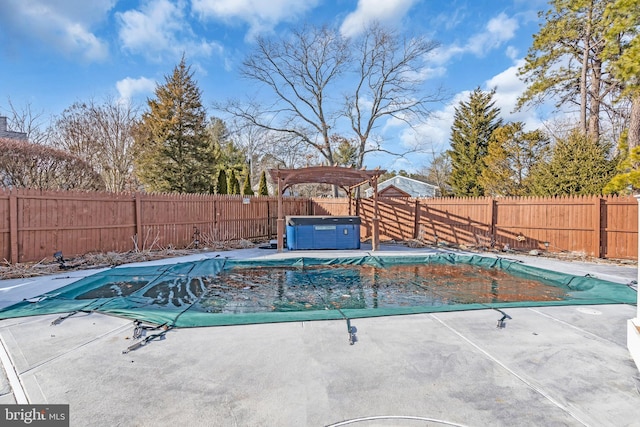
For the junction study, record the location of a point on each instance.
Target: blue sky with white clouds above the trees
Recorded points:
(56, 52)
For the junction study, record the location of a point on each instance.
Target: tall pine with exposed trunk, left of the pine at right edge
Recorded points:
(566, 61)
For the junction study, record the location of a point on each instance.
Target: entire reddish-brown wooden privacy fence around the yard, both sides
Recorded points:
(36, 224)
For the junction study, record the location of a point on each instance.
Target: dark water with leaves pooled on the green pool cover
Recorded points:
(326, 287)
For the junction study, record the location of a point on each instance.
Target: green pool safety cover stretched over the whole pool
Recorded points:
(219, 291)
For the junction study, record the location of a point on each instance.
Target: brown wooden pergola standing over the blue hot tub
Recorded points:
(343, 177)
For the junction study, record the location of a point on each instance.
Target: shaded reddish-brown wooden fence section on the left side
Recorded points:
(36, 224)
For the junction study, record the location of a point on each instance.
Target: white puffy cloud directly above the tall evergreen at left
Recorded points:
(159, 27)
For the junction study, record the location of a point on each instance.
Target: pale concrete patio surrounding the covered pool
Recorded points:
(565, 365)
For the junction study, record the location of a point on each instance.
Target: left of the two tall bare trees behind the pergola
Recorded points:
(299, 70)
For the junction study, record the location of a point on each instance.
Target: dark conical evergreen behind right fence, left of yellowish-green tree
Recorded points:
(474, 122)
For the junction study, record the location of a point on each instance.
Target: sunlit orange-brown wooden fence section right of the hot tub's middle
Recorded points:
(603, 227)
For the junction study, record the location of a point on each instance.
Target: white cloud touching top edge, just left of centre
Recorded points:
(260, 15)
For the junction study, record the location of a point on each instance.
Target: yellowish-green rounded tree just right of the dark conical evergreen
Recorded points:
(511, 155)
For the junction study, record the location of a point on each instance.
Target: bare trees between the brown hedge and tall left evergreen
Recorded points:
(101, 135)
